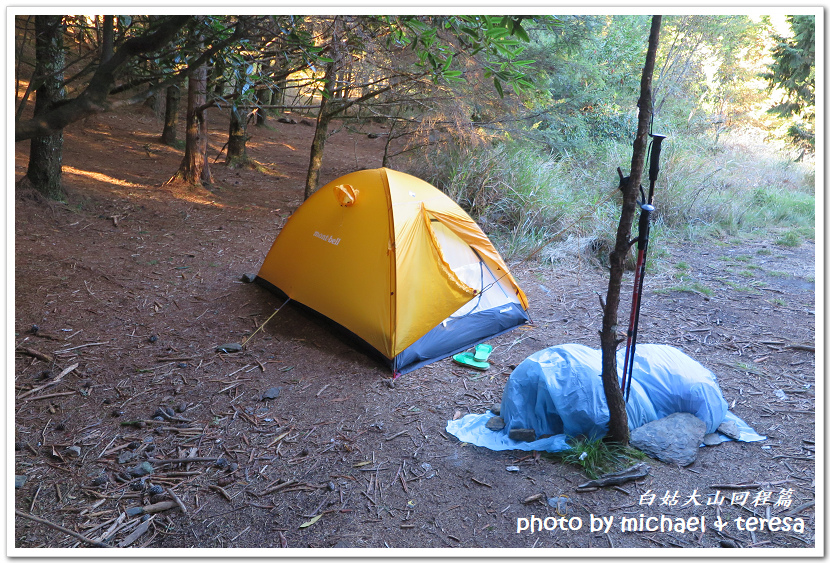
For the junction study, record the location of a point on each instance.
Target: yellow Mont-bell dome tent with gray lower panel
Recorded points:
(399, 264)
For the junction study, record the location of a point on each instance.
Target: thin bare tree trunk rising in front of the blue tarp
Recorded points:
(618, 424)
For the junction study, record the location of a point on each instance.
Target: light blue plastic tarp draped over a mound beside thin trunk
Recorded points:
(558, 393)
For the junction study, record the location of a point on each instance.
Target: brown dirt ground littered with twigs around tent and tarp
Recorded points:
(132, 286)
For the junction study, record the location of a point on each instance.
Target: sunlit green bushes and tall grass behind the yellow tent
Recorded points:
(728, 168)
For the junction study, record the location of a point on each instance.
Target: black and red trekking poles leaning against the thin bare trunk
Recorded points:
(644, 228)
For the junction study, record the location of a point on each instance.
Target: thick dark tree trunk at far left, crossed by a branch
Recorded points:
(46, 152)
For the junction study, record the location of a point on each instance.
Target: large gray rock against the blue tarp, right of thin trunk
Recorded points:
(673, 439)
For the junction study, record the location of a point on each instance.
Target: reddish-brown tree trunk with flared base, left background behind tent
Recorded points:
(194, 167)
